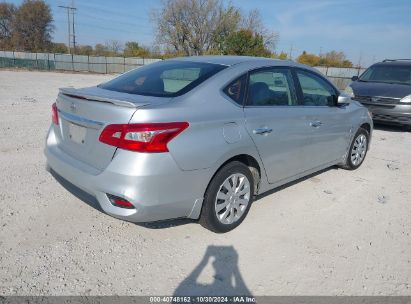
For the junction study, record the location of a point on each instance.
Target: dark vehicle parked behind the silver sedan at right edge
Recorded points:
(385, 89)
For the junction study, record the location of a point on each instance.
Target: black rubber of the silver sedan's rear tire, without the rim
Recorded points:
(208, 218)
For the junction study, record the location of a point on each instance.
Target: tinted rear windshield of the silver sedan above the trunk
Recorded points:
(163, 79)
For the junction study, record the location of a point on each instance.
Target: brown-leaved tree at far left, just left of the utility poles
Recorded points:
(32, 26)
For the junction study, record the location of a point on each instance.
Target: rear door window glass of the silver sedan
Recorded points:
(271, 87)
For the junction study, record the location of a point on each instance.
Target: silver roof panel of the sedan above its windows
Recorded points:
(233, 60)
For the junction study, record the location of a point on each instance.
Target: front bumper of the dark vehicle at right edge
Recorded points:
(398, 114)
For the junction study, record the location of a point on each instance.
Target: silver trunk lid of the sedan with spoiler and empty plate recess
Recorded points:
(83, 114)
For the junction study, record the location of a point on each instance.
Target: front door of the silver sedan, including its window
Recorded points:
(329, 124)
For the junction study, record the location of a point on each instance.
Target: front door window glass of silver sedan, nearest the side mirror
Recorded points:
(316, 91)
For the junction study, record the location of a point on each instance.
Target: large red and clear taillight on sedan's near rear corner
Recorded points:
(145, 137)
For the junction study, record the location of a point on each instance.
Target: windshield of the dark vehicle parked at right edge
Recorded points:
(388, 73)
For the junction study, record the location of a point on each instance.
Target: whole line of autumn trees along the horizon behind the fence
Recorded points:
(182, 28)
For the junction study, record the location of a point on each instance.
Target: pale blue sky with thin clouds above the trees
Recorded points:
(366, 30)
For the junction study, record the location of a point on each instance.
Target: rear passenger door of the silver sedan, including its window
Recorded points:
(275, 122)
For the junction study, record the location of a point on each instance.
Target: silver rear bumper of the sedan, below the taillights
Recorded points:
(153, 183)
